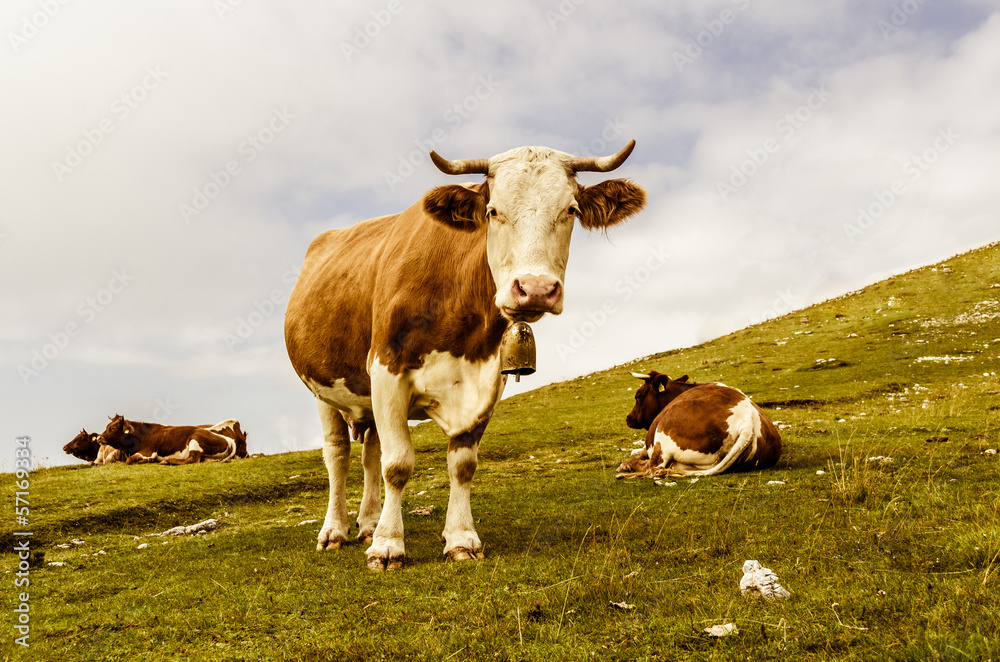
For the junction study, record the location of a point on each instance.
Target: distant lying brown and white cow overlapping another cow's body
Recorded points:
(168, 444)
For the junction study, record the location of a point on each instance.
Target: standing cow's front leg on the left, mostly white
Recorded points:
(390, 404)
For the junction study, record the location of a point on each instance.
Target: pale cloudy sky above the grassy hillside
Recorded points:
(165, 166)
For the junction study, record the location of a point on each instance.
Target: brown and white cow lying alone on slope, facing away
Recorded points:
(698, 429)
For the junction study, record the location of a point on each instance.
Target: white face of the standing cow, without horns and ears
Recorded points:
(530, 216)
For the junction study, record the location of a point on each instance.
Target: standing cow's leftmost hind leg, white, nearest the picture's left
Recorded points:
(337, 457)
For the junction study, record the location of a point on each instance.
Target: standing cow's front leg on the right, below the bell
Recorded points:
(461, 541)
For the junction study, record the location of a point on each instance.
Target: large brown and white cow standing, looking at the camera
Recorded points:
(401, 317)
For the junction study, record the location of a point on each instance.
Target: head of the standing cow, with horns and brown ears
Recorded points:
(528, 204)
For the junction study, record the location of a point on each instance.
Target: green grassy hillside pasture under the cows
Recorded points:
(895, 560)
